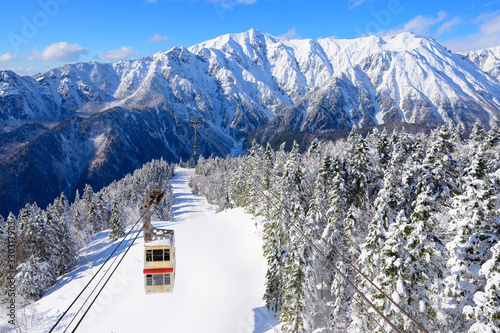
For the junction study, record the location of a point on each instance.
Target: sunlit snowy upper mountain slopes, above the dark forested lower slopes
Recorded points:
(237, 82)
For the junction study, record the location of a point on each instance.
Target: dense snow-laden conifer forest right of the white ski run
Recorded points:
(412, 218)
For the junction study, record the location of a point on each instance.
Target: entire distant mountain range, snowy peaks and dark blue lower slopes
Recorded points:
(94, 122)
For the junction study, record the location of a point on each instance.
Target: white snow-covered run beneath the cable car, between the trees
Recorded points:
(219, 283)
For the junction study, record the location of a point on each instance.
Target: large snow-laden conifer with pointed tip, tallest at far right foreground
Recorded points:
(474, 223)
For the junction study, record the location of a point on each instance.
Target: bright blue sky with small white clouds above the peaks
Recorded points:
(36, 35)
